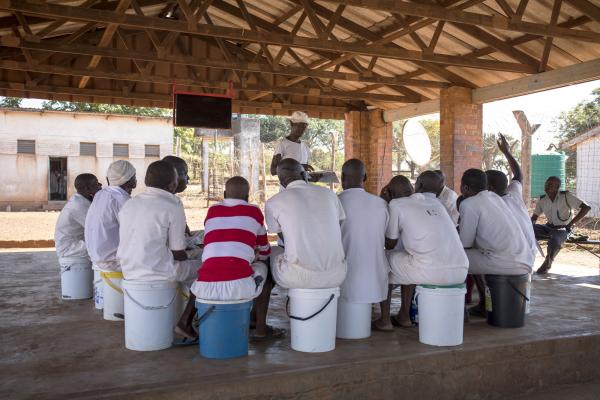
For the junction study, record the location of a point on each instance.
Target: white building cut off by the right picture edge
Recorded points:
(588, 168)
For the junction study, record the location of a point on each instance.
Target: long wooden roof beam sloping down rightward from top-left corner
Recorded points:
(142, 23)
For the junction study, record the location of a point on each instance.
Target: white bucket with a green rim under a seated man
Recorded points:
(441, 314)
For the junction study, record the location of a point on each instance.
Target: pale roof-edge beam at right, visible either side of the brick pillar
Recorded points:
(573, 74)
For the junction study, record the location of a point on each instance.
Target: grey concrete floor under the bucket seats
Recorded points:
(50, 348)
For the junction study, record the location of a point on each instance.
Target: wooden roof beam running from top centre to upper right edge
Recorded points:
(465, 17)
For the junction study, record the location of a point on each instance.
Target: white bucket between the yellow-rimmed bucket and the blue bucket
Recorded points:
(149, 314)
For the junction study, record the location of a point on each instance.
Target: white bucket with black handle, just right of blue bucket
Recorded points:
(313, 319)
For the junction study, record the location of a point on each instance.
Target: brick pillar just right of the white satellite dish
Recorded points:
(461, 139)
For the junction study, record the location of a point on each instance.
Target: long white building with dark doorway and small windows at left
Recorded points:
(41, 152)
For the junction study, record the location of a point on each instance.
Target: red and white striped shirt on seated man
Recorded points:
(233, 230)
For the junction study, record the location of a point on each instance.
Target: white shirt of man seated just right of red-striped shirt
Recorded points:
(309, 217)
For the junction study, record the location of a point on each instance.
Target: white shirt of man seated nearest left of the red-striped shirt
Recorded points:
(152, 224)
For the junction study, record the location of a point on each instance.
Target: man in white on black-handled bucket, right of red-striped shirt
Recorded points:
(308, 218)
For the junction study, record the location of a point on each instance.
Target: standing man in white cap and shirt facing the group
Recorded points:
(291, 146)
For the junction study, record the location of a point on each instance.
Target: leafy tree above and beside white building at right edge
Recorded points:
(569, 124)
